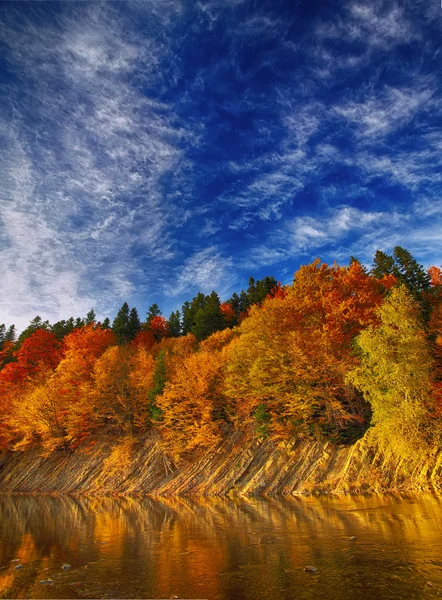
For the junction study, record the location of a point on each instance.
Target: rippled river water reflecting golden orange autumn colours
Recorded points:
(241, 549)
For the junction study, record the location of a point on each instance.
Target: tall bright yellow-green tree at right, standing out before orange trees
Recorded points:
(395, 377)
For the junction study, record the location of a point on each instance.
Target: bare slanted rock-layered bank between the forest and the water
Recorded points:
(235, 467)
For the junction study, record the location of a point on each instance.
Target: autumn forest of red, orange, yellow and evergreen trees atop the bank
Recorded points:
(340, 352)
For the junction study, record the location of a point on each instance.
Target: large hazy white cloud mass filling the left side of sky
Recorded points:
(81, 179)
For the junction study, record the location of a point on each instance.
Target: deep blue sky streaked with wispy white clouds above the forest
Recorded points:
(153, 149)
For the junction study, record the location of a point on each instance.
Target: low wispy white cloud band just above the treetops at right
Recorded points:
(344, 231)
